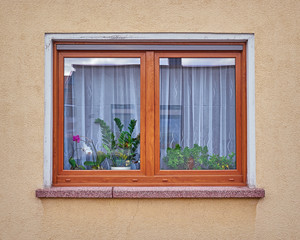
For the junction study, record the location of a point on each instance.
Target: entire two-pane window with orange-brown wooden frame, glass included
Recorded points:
(173, 113)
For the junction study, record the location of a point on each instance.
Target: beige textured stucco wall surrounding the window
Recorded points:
(22, 216)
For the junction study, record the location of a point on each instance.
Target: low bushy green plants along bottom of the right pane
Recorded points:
(197, 158)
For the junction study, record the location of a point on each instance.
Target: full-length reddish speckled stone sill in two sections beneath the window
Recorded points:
(150, 192)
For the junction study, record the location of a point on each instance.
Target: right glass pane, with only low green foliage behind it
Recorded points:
(197, 114)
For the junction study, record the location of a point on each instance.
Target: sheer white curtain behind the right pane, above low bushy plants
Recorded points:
(197, 107)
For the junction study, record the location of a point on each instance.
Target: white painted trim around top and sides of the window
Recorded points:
(163, 37)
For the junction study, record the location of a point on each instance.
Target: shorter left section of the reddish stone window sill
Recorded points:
(74, 192)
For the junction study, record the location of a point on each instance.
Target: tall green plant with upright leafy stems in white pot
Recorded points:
(120, 149)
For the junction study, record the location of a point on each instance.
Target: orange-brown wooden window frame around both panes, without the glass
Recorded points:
(150, 173)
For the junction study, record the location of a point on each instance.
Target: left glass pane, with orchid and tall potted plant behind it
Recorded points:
(101, 113)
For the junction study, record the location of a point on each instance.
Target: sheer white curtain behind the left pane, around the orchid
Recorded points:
(103, 92)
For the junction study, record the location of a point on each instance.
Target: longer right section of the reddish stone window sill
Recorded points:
(187, 192)
